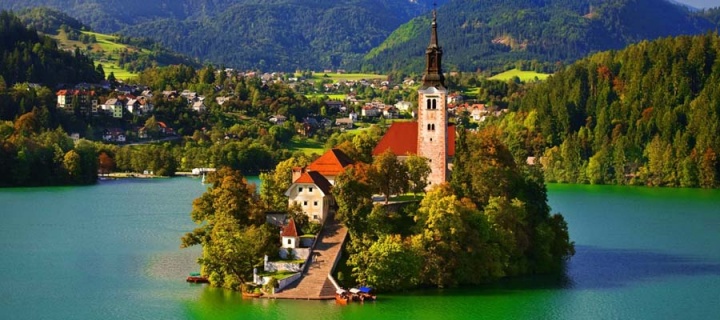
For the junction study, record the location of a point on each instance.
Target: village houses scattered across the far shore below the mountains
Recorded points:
(124, 101)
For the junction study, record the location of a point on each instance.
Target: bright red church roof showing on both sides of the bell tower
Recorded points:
(401, 138)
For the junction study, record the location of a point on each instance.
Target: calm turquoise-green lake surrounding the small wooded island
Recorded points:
(111, 251)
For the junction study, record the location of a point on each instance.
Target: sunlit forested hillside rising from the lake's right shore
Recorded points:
(649, 115)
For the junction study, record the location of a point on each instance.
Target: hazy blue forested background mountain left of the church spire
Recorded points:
(267, 34)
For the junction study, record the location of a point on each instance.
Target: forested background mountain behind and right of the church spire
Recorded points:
(484, 34)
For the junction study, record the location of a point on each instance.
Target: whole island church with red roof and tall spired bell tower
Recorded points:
(430, 136)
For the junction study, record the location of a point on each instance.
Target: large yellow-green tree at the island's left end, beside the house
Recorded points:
(234, 234)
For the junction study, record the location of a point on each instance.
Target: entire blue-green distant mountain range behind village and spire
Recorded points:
(385, 35)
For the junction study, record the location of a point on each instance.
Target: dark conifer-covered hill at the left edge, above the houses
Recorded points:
(28, 57)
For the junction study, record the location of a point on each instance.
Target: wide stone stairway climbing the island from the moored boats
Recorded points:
(314, 285)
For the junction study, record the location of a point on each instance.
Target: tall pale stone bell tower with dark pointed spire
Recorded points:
(432, 112)
